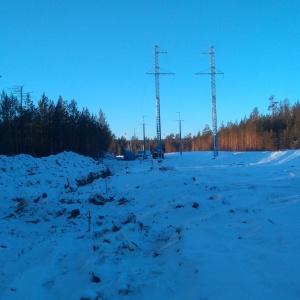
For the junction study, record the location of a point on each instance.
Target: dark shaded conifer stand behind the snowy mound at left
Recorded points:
(50, 128)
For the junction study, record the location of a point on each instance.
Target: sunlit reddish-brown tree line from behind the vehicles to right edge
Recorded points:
(277, 130)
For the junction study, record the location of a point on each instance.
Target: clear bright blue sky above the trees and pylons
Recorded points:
(98, 52)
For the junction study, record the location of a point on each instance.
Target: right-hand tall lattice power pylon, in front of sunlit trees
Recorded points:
(212, 73)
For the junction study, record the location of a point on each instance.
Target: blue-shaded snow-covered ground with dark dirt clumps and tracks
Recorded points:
(191, 227)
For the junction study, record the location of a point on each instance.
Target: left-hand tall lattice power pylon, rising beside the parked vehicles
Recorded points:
(156, 75)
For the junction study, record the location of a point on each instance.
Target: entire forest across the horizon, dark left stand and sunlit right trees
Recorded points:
(50, 128)
